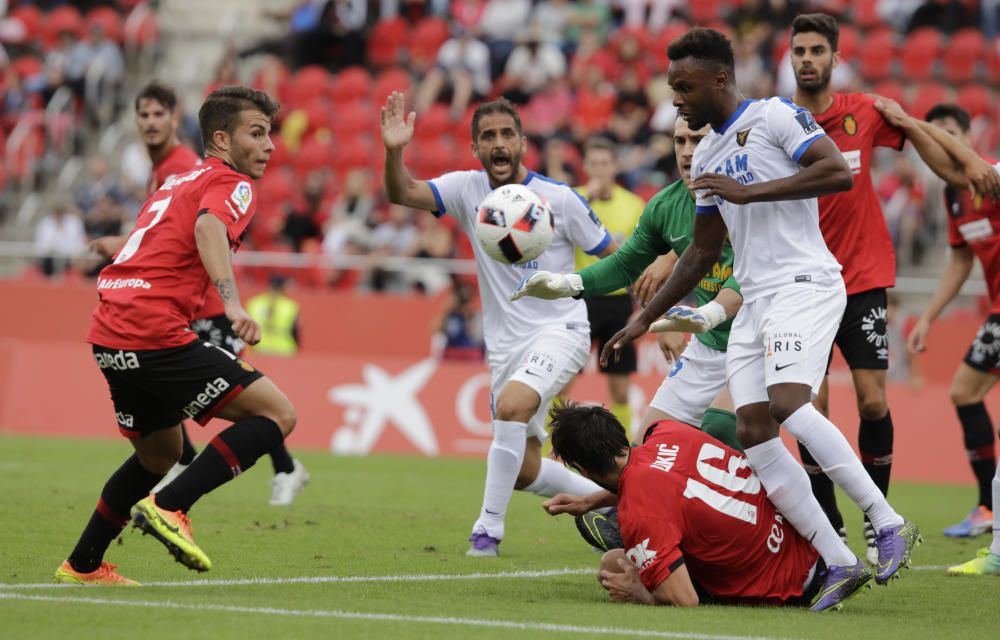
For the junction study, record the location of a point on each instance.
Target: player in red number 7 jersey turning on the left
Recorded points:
(157, 370)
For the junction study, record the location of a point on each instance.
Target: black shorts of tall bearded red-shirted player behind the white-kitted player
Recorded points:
(862, 337)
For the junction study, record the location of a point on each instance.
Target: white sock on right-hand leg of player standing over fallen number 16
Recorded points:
(831, 450)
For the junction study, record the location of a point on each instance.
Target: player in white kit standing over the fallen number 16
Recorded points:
(761, 168)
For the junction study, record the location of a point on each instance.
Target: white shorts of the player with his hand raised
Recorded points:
(546, 364)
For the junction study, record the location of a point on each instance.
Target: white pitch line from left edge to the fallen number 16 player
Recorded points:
(432, 577)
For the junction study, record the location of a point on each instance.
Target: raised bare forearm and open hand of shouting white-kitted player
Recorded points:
(397, 130)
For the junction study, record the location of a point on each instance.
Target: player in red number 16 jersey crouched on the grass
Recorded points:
(691, 512)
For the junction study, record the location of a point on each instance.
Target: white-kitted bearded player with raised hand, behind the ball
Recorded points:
(533, 349)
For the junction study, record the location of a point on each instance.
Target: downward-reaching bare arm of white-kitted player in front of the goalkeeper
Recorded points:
(707, 240)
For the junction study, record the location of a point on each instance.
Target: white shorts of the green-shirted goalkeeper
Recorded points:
(692, 384)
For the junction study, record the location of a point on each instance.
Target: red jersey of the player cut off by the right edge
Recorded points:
(974, 221)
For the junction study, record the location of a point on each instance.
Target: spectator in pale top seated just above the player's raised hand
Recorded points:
(462, 74)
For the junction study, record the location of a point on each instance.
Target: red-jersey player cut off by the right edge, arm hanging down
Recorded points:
(973, 232)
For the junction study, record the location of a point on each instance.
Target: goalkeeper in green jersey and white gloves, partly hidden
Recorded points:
(694, 391)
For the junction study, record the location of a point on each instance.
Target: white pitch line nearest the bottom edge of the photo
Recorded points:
(381, 617)
